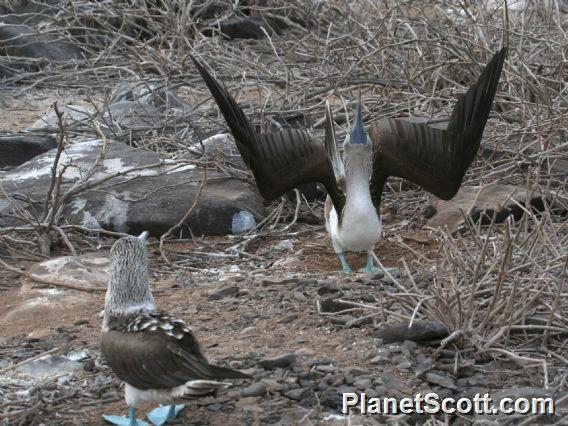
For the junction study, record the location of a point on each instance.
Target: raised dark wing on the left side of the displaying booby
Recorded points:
(280, 161)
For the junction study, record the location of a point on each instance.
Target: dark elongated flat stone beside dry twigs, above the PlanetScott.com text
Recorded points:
(419, 332)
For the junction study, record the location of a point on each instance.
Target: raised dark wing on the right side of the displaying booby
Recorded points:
(432, 158)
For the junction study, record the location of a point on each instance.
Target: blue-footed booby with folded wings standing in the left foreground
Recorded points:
(154, 353)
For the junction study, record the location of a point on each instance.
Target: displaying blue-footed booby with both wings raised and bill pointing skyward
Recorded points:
(432, 158)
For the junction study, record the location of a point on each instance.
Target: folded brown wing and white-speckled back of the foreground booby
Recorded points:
(158, 351)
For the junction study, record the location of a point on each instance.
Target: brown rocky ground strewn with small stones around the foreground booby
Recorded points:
(295, 332)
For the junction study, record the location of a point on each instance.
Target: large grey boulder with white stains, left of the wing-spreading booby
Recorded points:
(152, 199)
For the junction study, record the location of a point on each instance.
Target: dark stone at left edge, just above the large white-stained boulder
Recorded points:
(16, 149)
